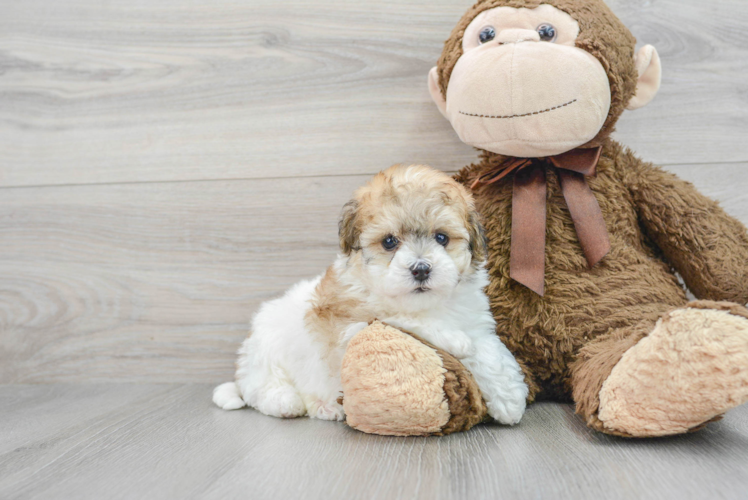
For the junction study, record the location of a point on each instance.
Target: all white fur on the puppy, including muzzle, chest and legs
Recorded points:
(284, 371)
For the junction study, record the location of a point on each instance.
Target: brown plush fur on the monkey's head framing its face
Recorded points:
(601, 34)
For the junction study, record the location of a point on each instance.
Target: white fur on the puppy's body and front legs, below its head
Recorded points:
(281, 371)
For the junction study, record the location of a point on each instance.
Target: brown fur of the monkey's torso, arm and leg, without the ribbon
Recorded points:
(569, 340)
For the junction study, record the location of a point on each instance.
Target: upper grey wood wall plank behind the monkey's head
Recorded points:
(107, 92)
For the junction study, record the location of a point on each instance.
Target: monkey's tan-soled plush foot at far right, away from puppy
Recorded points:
(689, 370)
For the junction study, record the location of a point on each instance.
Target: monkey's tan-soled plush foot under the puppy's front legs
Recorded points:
(394, 384)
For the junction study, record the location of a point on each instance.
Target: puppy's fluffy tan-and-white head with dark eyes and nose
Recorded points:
(414, 233)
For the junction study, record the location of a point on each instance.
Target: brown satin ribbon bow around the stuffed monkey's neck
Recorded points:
(527, 258)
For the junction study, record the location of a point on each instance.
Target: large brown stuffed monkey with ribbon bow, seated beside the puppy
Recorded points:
(584, 238)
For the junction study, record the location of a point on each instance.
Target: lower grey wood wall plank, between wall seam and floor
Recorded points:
(157, 282)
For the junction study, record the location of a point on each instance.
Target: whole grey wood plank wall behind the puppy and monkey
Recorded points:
(167, 165)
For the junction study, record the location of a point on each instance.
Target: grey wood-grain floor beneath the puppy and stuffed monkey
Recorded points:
(168, 441)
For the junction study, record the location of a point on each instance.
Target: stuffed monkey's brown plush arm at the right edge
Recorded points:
(705, 245)
